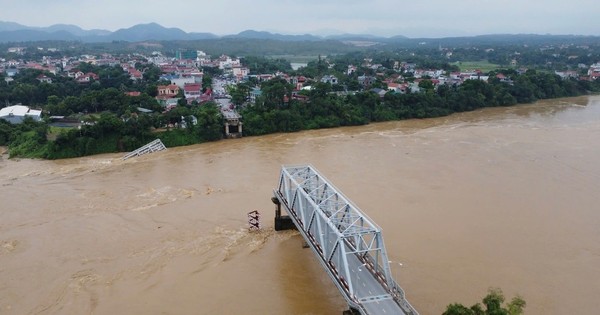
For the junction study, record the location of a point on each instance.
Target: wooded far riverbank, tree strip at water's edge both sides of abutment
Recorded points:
(272, 114)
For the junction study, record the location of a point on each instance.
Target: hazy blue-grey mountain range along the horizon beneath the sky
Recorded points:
(15, 32)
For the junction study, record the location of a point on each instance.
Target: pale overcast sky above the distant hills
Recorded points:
(416, 18)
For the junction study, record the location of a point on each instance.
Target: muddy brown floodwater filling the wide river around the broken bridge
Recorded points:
(502, 197)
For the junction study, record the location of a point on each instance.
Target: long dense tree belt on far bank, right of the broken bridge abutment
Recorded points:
(276, 111)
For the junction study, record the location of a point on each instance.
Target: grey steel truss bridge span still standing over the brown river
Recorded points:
(346, 242)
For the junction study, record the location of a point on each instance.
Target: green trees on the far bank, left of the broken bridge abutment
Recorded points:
(108, 132)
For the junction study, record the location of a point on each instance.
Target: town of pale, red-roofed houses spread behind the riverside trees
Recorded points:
(182, 76)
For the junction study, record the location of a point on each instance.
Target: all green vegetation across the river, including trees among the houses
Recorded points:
(111, 122)
